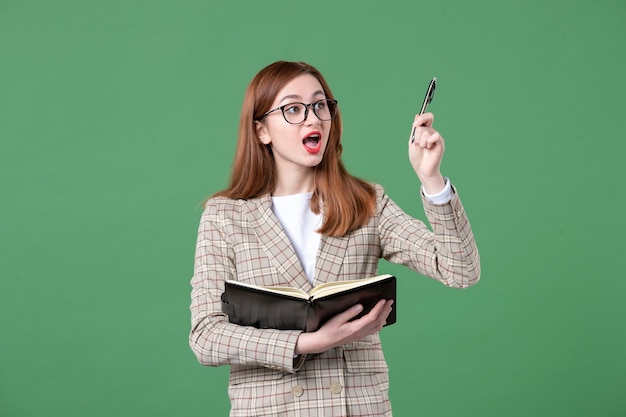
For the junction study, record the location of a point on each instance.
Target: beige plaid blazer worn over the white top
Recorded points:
(243, 240)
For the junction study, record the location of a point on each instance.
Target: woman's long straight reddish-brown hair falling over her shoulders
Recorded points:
(348, 202)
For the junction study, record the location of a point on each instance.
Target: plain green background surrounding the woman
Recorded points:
(117, 118)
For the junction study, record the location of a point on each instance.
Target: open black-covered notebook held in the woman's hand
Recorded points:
(287, 308)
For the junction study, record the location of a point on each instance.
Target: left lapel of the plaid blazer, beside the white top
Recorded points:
(275, 242)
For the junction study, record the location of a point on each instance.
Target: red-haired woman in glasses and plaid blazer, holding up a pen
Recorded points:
(293, 216)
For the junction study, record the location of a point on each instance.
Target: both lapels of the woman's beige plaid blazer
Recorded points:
(330, 254)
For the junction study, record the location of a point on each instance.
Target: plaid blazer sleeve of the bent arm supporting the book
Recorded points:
(213, 339)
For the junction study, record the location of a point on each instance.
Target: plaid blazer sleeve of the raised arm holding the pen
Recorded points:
(448, 253)
